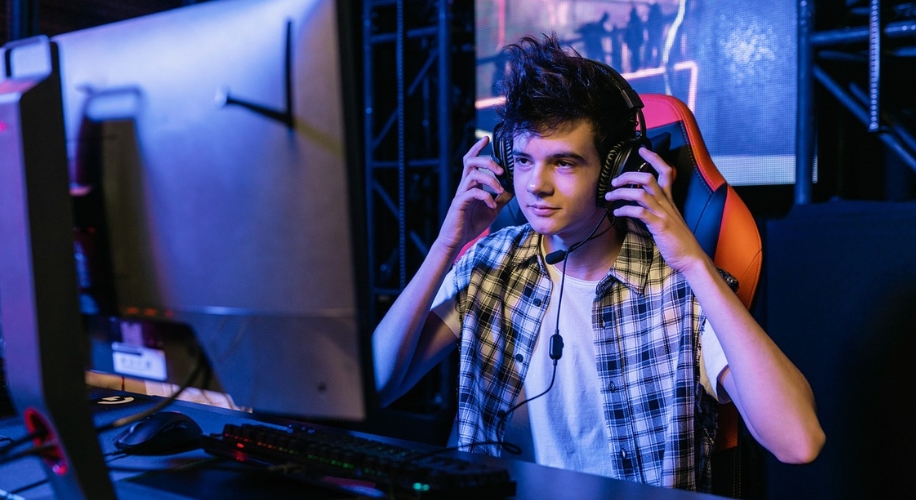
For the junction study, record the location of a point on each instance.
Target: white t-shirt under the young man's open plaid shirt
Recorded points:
(565, 427)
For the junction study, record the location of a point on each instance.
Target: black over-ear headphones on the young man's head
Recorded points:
(622, 157)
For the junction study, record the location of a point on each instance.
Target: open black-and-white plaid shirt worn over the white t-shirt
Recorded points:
(646, 323)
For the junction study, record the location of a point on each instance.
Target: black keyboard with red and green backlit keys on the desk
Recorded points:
(370, 467)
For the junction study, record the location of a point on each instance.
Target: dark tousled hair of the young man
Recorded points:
(545, 86)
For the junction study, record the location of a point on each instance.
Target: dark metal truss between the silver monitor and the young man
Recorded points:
(418, 119)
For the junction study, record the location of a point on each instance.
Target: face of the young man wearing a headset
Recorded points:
(556, 178)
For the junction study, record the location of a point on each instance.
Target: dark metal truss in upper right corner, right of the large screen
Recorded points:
(864, 58)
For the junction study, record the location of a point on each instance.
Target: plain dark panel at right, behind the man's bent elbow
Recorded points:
(840, 288)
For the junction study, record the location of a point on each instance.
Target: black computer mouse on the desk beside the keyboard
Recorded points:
(161, 433)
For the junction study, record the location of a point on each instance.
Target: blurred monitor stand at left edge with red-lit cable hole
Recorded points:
(39, 302)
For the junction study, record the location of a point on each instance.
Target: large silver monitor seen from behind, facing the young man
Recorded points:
(209, 171)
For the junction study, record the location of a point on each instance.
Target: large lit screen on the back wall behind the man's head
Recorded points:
(733, 63)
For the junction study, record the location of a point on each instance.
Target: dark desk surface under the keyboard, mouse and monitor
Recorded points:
(197, 475)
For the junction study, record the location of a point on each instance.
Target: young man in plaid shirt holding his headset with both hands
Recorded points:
(651, 332)
